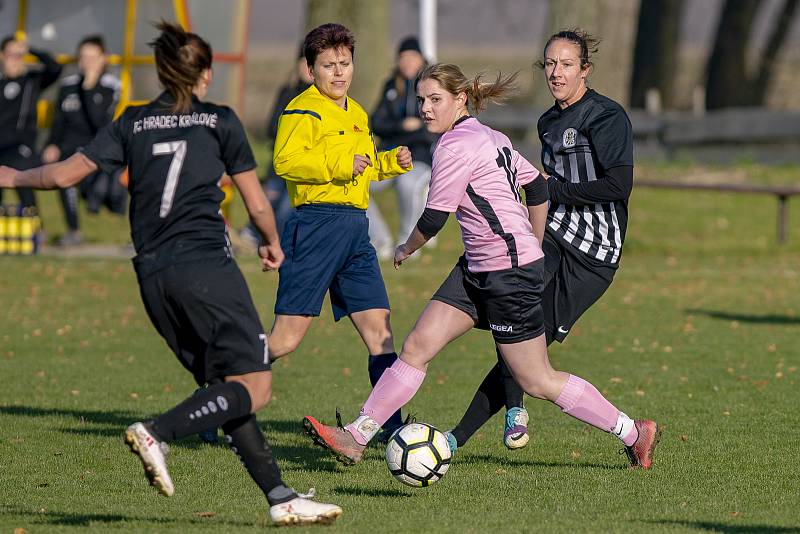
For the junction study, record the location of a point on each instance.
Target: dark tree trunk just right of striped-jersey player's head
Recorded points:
(656, 51)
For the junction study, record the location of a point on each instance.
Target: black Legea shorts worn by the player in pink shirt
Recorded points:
(507, 302)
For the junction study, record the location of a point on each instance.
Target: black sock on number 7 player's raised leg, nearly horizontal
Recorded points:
(208, 408)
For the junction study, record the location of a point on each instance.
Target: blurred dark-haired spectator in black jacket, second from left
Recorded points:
(86, 102)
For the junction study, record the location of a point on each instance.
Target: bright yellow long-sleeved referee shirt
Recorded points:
(314, 152)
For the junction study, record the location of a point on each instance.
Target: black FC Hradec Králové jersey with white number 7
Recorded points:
(175, 161)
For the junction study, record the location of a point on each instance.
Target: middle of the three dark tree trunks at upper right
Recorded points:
(728, 83)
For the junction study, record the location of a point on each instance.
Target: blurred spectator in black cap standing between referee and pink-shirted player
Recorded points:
(396, 121)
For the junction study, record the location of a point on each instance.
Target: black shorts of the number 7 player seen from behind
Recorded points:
(204, 311)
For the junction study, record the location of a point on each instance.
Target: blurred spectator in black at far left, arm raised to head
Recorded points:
(20, 88)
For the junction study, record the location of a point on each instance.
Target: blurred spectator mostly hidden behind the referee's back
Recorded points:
(274, 185)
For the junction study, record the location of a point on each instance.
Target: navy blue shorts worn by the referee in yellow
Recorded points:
(327, 249)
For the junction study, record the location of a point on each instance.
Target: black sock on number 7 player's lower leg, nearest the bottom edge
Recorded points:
(250, 445)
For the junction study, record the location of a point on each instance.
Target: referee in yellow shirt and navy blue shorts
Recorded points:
(325, 152)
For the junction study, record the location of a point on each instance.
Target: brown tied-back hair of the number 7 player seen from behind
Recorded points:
(181, 57)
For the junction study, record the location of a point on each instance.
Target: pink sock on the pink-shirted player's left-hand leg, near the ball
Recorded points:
(396, 386)
